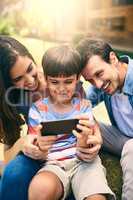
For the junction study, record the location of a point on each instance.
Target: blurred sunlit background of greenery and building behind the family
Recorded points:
(40, 24)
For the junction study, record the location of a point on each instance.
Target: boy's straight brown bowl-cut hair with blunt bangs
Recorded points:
(61, 60)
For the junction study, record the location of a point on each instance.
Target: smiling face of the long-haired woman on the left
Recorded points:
(24, 74)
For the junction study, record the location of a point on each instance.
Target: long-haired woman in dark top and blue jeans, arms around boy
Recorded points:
(20, 84)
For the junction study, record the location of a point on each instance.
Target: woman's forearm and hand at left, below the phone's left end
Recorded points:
(27, 145)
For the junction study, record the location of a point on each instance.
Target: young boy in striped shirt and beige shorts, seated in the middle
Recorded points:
(61, 67)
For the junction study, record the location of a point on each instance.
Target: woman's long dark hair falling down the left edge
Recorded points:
(10, 119)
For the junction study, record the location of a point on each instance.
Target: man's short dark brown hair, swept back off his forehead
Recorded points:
(88, 47)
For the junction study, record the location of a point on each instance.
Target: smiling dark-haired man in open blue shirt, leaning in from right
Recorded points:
(112, 80)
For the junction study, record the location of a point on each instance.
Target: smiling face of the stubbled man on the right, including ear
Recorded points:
(101, 74)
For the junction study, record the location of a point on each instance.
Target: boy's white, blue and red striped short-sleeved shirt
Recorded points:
(65, 145)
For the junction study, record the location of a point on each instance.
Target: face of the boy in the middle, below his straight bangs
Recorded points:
(62, 88)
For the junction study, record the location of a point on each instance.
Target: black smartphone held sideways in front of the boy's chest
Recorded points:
(59, 127)
